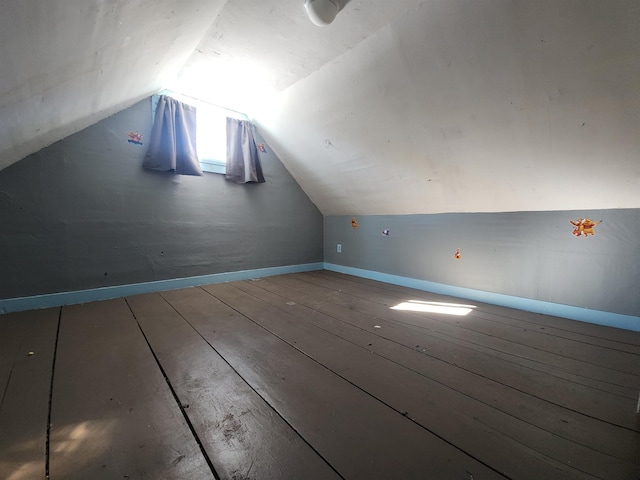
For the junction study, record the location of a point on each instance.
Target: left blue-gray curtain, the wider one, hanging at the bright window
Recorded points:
(172, 146)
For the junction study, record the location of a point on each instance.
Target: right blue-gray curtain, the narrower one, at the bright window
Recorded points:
(243, 163)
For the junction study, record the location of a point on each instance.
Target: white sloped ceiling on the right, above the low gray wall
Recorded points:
(469, 106)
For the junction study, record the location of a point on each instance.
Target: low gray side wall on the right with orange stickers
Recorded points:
(523, 254)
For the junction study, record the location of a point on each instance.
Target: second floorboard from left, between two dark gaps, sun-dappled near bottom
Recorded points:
(113, 415)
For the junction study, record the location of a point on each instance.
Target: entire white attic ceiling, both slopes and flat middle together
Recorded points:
(397, 107)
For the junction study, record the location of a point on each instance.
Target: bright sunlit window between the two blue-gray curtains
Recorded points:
(211, 130)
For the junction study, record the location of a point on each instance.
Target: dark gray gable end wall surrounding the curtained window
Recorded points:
(83, 213)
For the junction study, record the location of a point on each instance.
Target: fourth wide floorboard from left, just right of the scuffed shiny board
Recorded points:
(358, 435)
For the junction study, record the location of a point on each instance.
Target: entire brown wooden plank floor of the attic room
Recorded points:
(313, 376)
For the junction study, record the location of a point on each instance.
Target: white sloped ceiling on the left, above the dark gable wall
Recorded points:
(65, 64)
